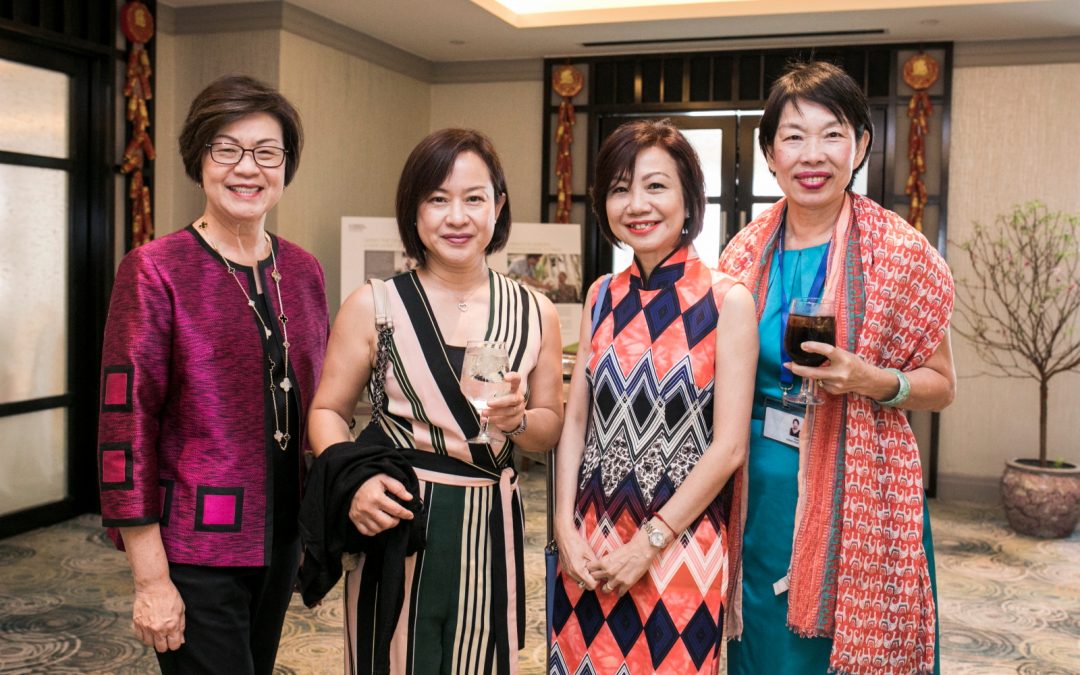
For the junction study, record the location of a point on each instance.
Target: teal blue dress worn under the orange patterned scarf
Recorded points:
(767, 645)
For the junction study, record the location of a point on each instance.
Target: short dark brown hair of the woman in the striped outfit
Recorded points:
(428, 167)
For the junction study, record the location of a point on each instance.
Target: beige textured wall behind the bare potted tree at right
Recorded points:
(1015, 139)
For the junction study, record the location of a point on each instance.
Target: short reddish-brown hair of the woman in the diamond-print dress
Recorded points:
(616, 163)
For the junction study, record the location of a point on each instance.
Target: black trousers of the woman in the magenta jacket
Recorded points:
(234, 616)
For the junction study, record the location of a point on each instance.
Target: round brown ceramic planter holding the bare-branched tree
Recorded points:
(1042, 502)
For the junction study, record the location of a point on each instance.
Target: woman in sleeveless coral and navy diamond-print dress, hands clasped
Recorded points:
(656, 425)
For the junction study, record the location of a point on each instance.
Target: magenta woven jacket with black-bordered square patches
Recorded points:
(186, 427)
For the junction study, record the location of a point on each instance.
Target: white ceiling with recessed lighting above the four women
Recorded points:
(457, 31)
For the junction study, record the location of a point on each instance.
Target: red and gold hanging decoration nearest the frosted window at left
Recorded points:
(138, 25)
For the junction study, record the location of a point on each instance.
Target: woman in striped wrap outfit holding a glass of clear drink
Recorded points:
(464, 592)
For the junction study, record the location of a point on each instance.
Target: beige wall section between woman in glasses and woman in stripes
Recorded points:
(361, 121)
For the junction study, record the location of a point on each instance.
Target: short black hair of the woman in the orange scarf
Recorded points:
(826, 85)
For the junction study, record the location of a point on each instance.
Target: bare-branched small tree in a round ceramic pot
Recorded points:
(1021, 310)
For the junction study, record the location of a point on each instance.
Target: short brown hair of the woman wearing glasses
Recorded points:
(226, 101)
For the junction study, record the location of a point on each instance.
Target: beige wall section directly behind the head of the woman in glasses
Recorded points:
(186, 65)
